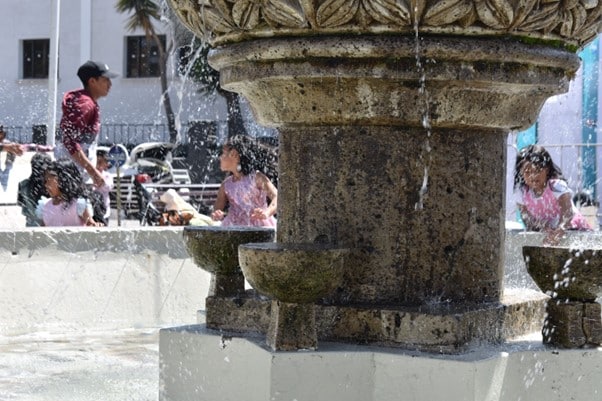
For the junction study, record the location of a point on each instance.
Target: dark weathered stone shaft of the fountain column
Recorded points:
(400, 254)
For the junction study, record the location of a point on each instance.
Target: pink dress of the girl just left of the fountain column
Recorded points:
(244, 196)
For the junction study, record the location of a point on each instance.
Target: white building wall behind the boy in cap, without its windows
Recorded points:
(132, 100)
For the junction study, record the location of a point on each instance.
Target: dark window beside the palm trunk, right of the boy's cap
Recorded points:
(143, 56)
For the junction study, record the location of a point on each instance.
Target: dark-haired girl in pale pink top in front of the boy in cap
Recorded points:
(67, 205)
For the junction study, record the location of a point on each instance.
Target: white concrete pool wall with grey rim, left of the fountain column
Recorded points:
(101, 278)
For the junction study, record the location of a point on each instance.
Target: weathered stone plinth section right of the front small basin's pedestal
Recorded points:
(435, 328)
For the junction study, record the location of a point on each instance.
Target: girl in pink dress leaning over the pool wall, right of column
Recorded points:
(544, 200)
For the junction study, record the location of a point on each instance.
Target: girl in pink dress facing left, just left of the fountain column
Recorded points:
(245, 192)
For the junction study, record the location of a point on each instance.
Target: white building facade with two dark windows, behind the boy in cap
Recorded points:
(88, 30)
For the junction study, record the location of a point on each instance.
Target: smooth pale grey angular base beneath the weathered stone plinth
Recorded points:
(197, 363)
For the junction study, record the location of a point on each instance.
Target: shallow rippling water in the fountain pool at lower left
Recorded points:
(108, 365)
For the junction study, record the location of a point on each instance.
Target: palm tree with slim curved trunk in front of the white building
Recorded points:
(143, 12)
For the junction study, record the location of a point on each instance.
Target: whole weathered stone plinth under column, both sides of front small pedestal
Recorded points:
(439, 328)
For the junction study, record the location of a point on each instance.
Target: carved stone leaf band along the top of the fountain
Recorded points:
(573, 22)
